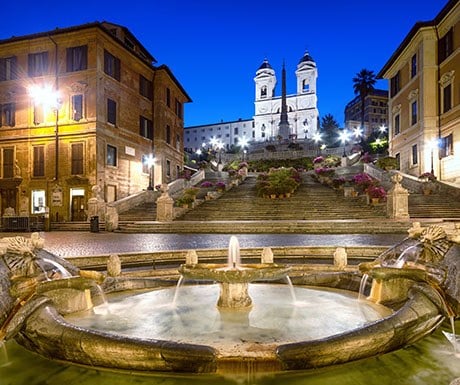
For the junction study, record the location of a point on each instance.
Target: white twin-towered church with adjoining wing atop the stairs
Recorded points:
(300, 120)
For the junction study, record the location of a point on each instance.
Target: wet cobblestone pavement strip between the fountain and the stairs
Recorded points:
(76, 243)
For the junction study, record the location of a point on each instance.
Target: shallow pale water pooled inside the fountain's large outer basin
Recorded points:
(273, 317)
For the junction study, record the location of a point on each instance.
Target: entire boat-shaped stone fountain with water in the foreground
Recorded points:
(255, 326)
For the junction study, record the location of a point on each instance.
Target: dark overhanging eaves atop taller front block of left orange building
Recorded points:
(95, 24)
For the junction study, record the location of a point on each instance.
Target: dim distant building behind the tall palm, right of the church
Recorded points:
(375, 112)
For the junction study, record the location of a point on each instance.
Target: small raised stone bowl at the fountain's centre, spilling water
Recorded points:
(243, 273)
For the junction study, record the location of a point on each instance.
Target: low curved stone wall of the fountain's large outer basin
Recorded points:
(48, 333)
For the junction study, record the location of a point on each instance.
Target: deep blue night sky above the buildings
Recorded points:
(215, 47)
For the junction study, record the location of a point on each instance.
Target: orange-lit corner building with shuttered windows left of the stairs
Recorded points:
(79, 107)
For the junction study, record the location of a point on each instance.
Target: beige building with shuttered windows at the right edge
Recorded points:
(424, 100)
